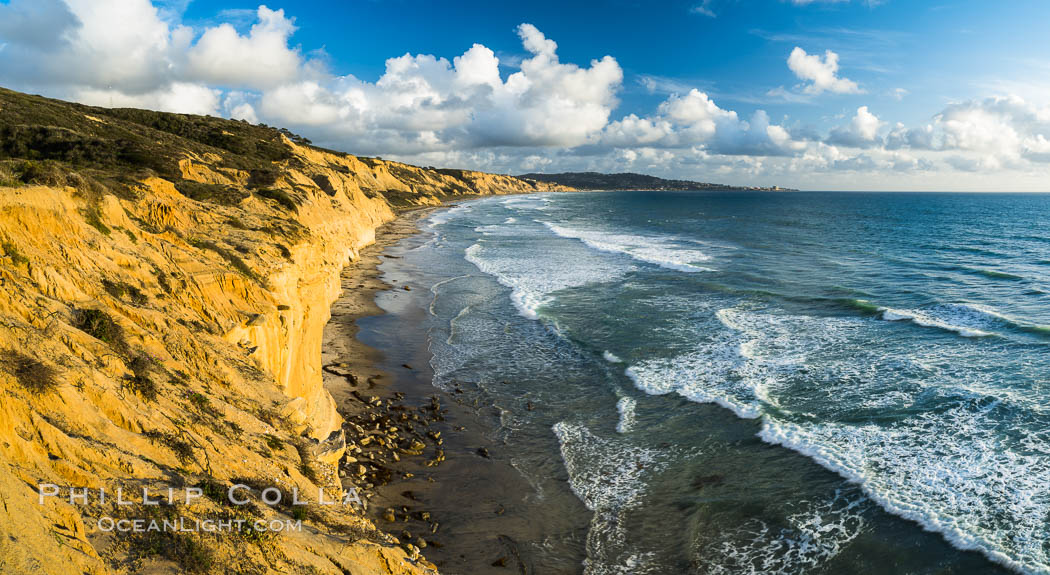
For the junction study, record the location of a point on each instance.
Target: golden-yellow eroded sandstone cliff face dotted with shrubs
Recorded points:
(157, 342)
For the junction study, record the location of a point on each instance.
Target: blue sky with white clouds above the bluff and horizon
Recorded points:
(816, 95)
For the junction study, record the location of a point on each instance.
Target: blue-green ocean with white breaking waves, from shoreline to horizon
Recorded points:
(759, 382)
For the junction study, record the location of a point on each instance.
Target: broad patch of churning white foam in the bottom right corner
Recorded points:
(999, 514)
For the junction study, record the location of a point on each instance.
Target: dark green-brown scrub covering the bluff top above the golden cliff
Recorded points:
(44, 139)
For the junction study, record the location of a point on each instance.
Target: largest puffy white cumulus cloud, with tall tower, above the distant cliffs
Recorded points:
(424, 101)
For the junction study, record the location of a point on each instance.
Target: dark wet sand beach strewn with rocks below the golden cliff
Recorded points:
(474, 512)
